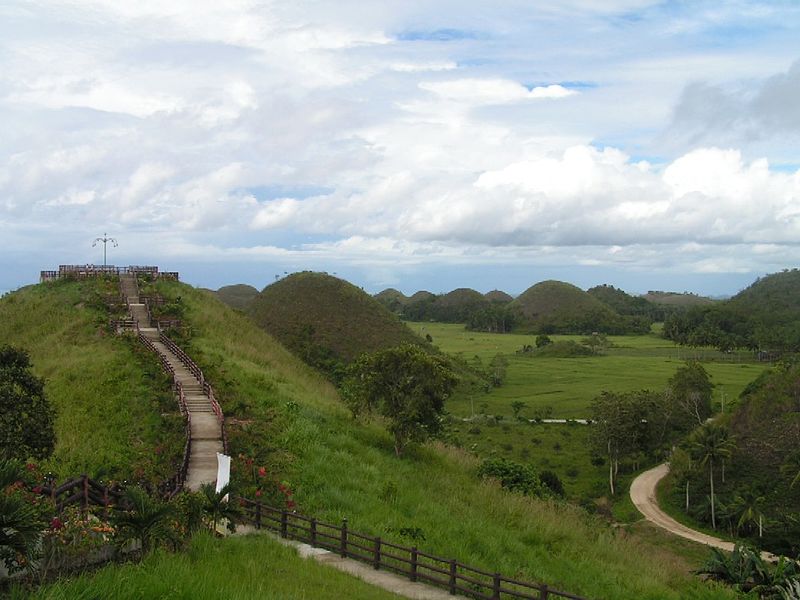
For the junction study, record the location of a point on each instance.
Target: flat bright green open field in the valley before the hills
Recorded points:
(565, 387)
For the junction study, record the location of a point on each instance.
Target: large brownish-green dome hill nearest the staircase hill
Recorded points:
(324, 319)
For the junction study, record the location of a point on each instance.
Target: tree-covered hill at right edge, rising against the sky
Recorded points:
(765, 316)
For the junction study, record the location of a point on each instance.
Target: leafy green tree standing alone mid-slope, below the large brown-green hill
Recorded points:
(405, 385)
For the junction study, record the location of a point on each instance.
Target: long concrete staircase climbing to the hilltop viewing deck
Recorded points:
(206, 431)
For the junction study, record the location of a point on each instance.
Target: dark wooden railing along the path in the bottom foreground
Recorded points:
(410, 562)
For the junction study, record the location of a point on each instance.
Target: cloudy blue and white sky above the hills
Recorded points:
(415, 144)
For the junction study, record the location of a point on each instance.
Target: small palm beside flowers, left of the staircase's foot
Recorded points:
(145, 519)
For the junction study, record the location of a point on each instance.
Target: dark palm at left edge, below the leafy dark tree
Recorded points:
(20, 528)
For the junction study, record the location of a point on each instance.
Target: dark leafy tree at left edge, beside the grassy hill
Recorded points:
(26, 418)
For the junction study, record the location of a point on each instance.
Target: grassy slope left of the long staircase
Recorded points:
(108, 391)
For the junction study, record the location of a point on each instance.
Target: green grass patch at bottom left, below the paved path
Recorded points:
(254, 566)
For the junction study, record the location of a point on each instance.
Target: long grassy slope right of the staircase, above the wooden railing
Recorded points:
(339, 468)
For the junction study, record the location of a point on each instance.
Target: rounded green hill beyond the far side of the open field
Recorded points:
(558, 307)
